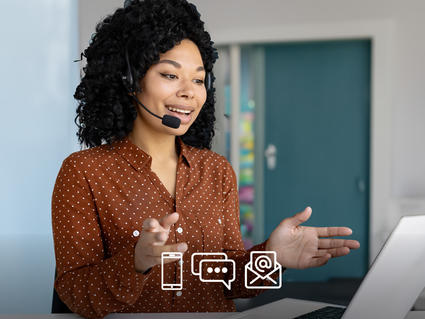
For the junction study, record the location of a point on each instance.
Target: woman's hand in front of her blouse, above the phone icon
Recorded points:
(152, 241)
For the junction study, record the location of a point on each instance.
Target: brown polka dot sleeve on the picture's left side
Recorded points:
(87, 282)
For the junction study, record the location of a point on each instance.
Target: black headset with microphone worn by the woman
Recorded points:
(167, 120)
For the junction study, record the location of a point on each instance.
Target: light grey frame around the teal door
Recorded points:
(380, 33)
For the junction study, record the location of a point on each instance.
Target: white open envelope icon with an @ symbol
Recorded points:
(262, 265)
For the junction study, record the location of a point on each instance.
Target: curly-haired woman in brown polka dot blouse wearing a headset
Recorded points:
(148, 185)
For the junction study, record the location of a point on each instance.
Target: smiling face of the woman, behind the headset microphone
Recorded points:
(174, 86)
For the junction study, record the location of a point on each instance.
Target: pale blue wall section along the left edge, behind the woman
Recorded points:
(39, 43)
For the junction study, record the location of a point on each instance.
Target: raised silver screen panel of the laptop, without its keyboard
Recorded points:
(396, 277)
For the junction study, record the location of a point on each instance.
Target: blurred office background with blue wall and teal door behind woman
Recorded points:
(319, 102)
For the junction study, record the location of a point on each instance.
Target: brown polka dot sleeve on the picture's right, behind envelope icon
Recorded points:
(233, 244)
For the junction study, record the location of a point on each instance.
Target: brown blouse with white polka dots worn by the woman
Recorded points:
(101, 198)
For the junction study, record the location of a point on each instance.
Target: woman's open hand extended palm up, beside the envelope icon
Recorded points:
(305, 247)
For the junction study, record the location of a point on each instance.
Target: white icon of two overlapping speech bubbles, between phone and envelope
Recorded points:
(216, 267)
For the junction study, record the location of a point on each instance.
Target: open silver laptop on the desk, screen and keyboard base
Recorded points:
(389, 289)
